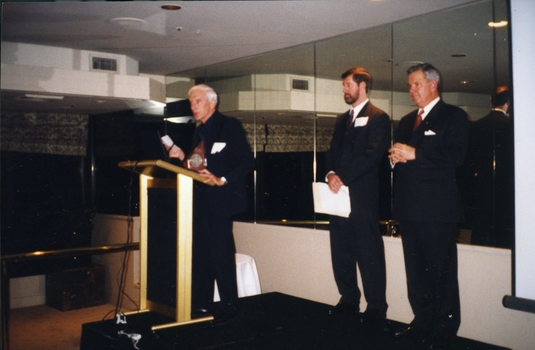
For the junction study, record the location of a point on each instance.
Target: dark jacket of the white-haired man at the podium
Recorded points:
(234, 161)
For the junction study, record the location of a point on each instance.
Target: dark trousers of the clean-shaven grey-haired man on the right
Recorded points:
(430, 253)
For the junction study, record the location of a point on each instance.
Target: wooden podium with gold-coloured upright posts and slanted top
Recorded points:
(158, 174)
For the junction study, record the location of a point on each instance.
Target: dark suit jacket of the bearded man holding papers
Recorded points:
(355, 158)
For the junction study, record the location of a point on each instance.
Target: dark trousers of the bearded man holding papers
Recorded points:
(358, 240)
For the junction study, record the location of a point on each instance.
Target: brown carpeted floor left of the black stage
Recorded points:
(43, 328)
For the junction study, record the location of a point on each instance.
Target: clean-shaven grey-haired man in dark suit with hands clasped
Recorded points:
(430, 143)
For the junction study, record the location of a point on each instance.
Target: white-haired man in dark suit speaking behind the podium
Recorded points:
(221, 154)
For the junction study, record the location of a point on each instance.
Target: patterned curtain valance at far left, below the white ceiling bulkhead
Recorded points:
(48, 133)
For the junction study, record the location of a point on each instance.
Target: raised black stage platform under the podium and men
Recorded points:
(268, 321)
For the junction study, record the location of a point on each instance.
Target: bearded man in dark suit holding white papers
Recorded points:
(360, 140)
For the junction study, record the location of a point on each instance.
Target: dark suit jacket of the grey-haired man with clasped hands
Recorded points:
(425, 189)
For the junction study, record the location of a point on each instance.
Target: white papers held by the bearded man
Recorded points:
(327, 202)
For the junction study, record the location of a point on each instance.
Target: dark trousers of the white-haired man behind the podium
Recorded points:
(213, 255)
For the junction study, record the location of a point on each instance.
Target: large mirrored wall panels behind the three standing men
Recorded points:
(288, 101)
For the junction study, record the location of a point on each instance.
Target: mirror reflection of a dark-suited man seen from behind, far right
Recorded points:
(491, 164)
